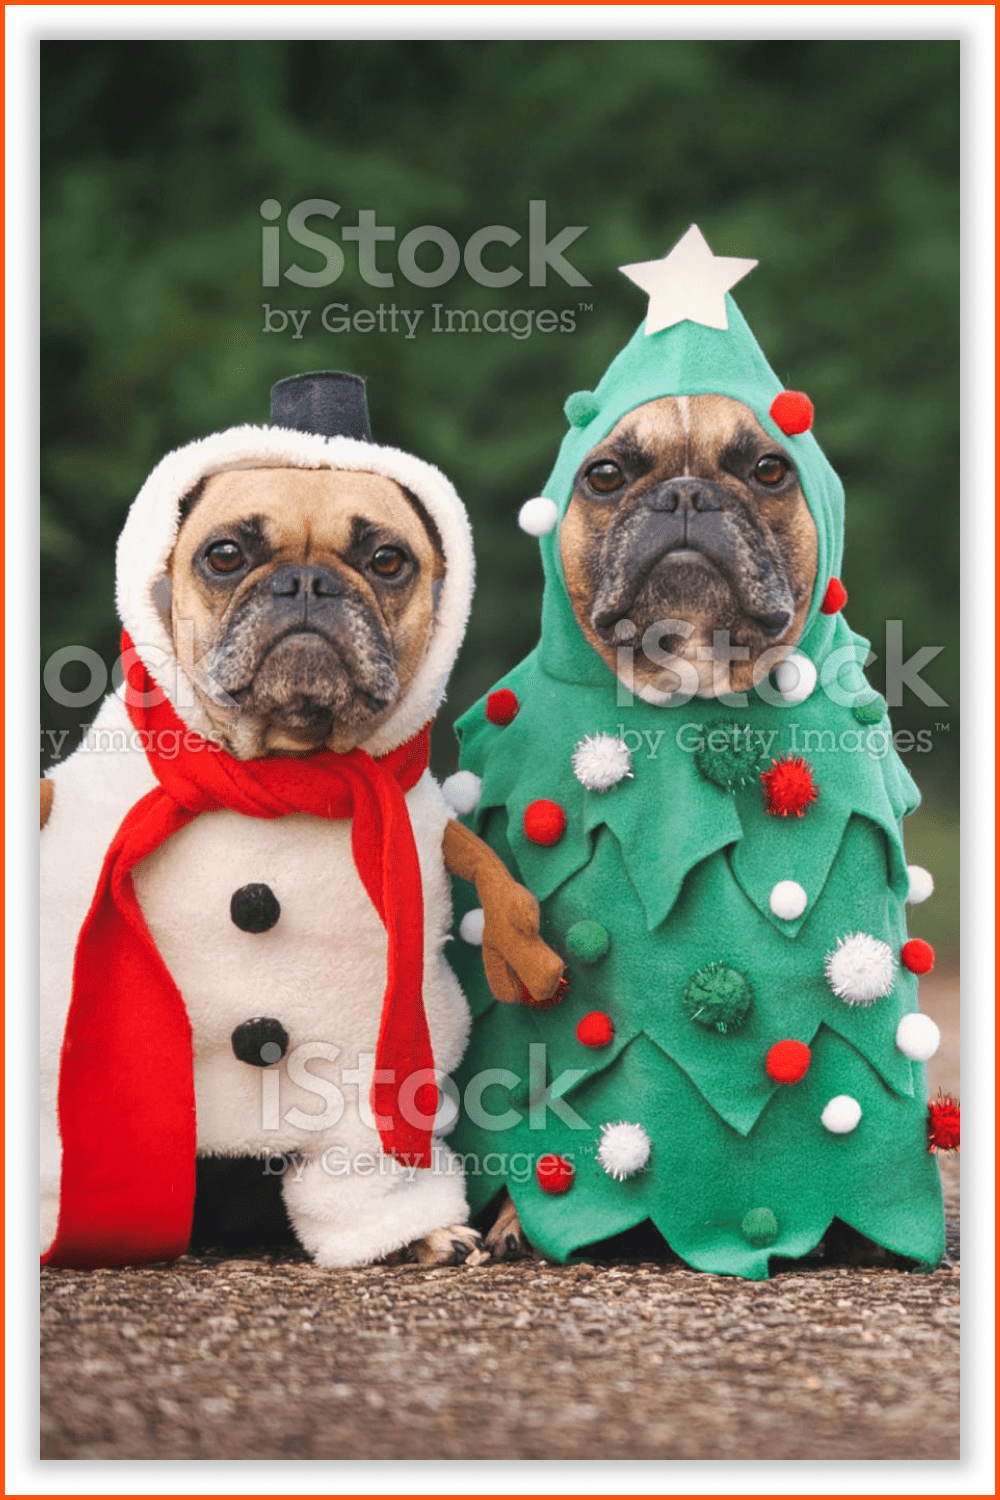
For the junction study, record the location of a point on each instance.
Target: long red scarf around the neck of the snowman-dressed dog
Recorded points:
(127, 1094)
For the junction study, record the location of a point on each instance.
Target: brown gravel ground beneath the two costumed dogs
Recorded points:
(268, 1357)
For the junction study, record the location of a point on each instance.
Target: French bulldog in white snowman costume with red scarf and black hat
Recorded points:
(244, 869)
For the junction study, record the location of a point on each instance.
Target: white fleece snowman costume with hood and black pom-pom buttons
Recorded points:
(320, 970)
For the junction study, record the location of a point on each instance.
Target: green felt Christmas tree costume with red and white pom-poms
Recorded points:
(738, 1057)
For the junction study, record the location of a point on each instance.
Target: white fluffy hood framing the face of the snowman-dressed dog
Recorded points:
(151, 532)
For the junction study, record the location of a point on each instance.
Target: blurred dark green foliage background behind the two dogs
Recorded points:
(834, 164)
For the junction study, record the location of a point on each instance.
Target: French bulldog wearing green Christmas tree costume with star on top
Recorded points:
(693, 776)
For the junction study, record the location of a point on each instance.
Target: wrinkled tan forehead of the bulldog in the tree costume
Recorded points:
(686, 436)
